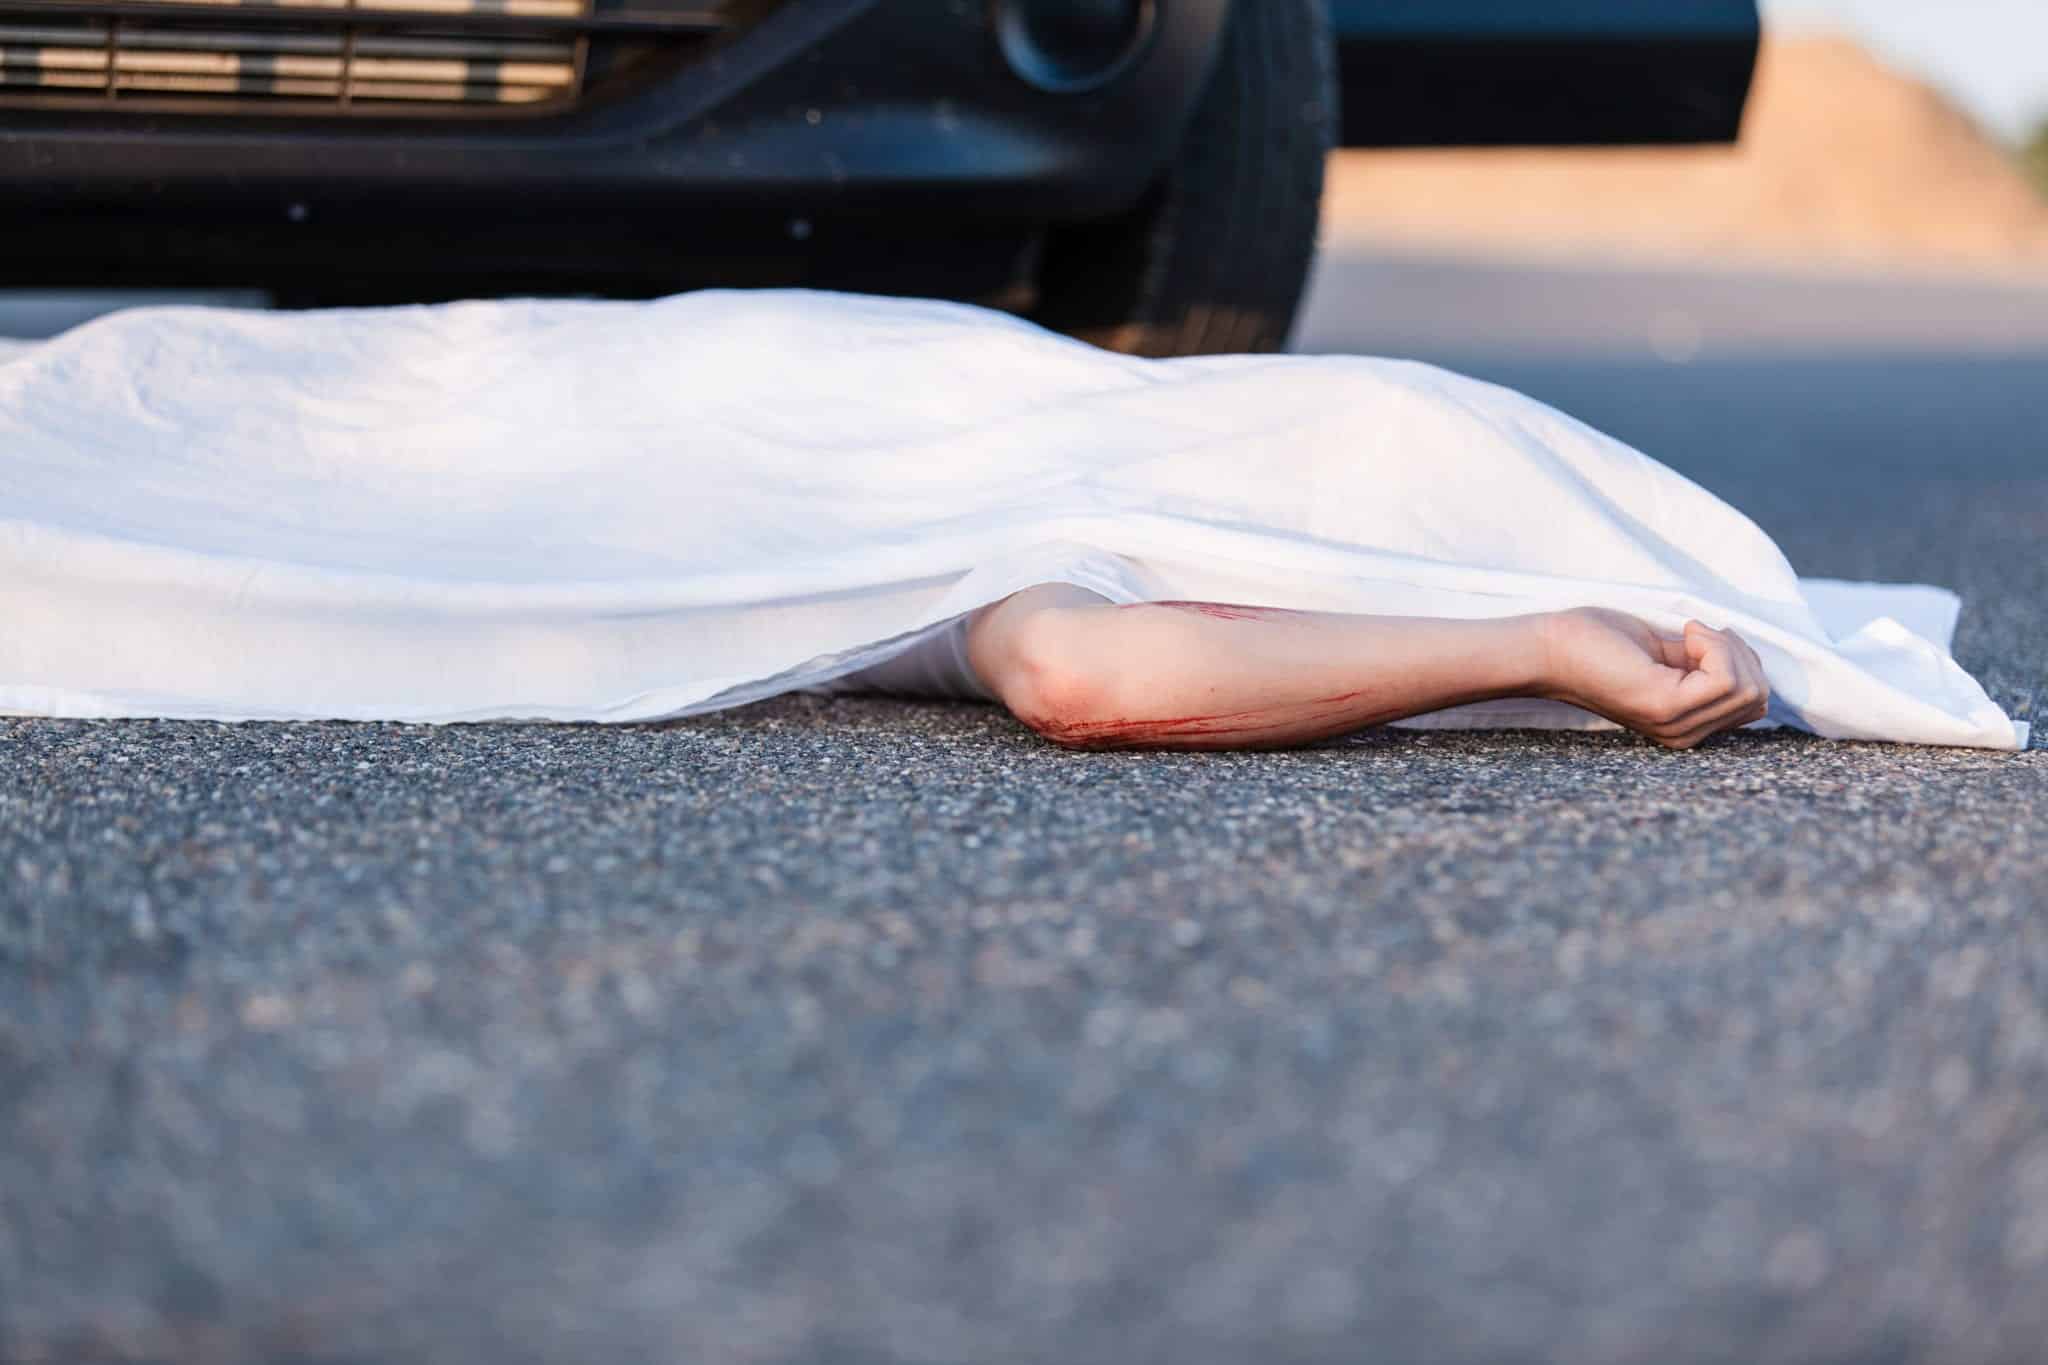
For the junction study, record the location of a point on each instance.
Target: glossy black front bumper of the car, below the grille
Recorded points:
(822, 103)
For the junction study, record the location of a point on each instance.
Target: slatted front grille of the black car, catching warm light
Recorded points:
(337, 56)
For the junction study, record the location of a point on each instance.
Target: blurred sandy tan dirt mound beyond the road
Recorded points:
(1842, 161)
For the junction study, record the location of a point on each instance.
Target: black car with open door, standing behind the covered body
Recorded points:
(1144, 173)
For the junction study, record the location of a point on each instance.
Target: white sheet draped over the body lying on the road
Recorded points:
(636, 511)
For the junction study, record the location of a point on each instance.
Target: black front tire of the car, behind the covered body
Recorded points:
(1215, 257)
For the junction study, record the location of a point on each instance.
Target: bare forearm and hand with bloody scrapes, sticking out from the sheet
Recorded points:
(1224, 676)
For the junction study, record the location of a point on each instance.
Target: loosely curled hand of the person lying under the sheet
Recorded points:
(1672, 691)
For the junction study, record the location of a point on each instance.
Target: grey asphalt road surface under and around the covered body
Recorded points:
(878, 1032)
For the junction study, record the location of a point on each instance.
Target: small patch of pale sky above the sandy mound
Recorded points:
(1990, 54)
